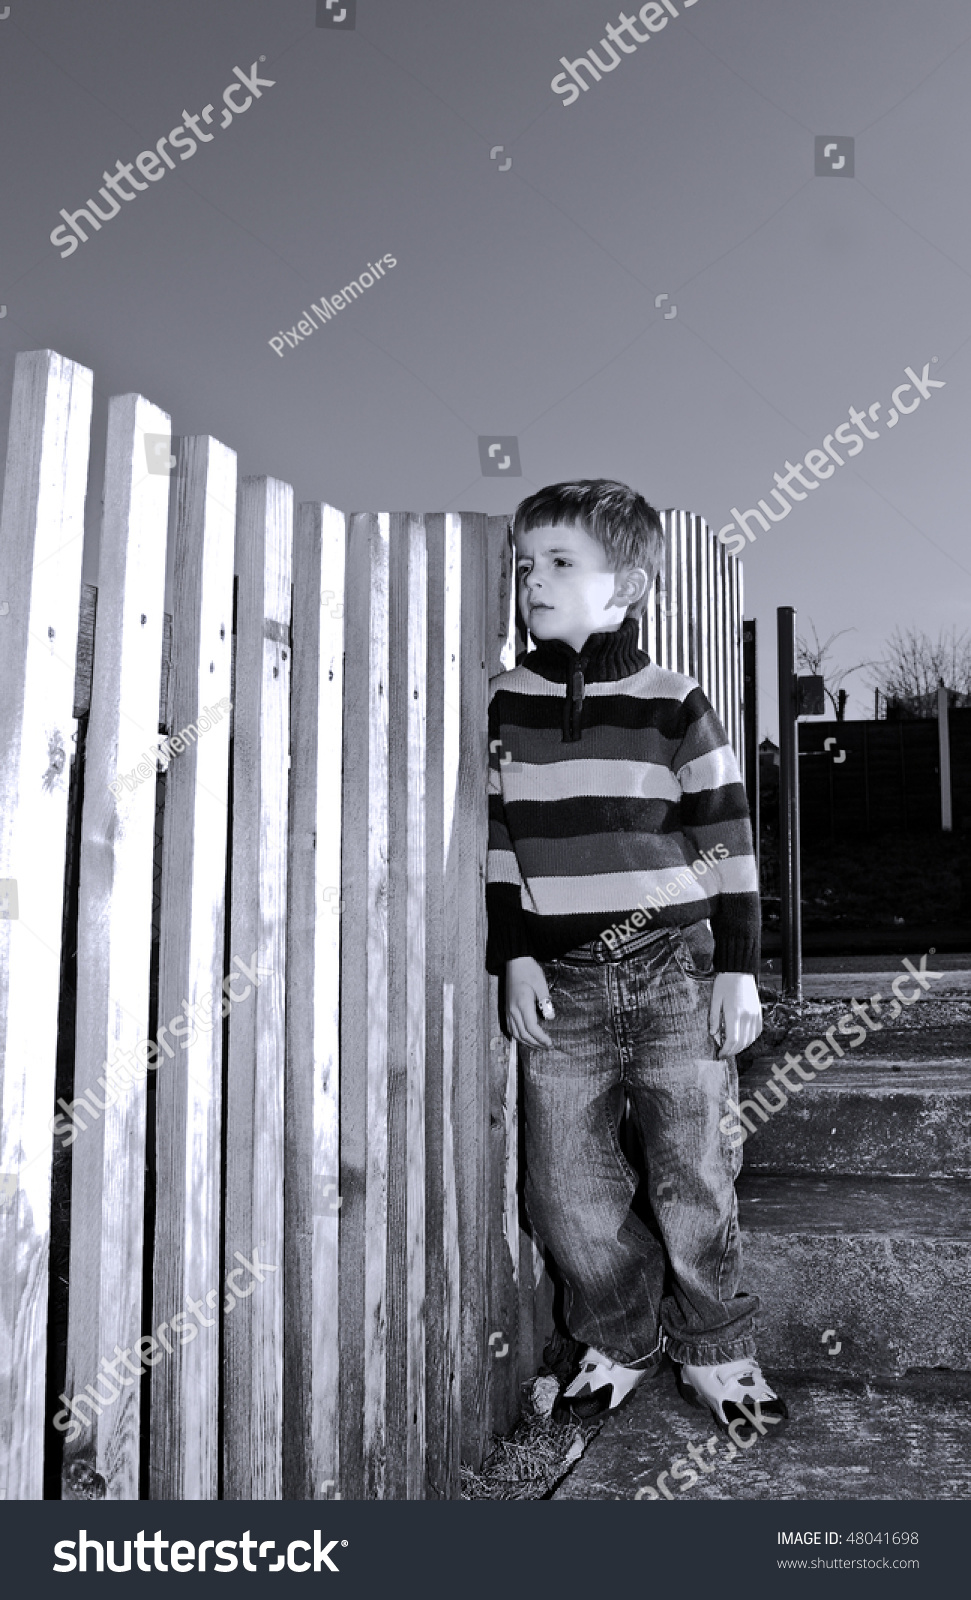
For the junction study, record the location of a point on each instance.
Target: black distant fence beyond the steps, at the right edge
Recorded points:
(882, 777)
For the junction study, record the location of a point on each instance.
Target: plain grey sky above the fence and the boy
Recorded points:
(533, 234)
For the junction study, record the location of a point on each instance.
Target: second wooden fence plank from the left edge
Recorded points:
(114, 958)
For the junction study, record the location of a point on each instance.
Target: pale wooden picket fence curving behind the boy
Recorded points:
(258, 1119)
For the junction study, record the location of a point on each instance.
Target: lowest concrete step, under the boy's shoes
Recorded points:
(845, 1442)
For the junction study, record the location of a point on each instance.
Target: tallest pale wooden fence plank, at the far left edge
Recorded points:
(41, 569)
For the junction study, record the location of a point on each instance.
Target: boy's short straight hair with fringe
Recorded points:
(618, 518)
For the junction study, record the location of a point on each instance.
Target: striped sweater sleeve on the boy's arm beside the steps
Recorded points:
(716, 820)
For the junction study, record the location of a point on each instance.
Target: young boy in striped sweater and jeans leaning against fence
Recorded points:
(621, 882)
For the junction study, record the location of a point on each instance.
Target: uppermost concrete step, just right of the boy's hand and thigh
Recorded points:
(865, 1118)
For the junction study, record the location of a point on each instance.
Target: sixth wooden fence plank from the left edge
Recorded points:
(364, 1014)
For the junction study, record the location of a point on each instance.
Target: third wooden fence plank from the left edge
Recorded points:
(185, 1455)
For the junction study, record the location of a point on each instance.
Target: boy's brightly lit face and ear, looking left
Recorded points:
(567, 590)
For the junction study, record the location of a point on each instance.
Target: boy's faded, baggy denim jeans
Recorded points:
(633, 1026)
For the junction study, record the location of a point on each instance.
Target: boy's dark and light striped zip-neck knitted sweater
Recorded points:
(617, 806)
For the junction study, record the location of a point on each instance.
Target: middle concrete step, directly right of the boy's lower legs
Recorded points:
(881, 1265)
